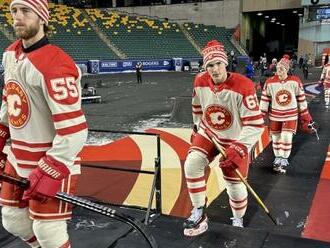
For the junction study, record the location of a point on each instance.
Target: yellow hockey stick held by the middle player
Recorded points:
(251, 190)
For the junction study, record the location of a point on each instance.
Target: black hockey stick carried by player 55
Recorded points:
(92, 206)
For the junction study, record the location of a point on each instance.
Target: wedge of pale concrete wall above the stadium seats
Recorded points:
(220, 13)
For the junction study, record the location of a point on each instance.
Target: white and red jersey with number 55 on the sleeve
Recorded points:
(42, 106)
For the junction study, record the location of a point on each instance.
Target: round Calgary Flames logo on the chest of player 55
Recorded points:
(18, 105)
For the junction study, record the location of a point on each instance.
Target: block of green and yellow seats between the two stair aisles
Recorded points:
(143, 38)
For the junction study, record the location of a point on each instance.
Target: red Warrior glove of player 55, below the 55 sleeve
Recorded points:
(46, 179)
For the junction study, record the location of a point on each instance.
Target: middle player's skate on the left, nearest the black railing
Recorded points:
(197, 223)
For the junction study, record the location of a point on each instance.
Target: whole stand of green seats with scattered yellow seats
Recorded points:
(79, 33)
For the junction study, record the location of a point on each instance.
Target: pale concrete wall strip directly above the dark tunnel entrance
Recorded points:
(259, 5)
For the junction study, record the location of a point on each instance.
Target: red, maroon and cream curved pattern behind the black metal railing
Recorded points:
(139, 152)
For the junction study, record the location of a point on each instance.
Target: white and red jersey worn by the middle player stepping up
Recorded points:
(229, 110)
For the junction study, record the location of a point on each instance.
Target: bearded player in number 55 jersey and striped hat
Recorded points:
(41, 112)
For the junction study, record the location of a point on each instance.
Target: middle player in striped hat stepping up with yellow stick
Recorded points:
(225, 108)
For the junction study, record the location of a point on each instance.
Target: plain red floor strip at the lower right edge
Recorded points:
(318, 221)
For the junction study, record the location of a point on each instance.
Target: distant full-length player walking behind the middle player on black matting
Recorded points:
(283, 100)
